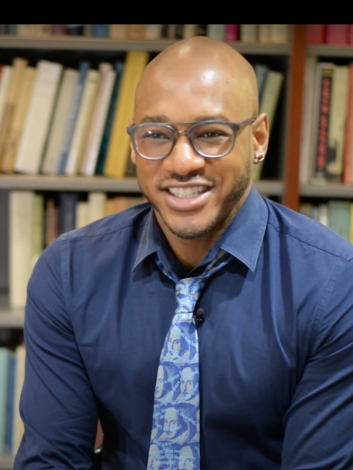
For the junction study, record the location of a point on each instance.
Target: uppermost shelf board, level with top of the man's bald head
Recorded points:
(106, 44)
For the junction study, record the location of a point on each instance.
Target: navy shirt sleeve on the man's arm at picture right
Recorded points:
(319, 422)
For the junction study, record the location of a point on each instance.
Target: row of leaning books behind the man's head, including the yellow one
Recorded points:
(62, 121)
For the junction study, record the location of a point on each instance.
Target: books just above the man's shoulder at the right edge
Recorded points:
(336, 214)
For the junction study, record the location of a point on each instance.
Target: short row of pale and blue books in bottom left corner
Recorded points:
(12, 364)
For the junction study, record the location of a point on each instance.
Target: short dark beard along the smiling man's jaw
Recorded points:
(228, 209)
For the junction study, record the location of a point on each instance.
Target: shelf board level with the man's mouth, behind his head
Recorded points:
(96, 183)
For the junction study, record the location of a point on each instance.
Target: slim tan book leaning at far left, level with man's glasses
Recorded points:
(19, 117)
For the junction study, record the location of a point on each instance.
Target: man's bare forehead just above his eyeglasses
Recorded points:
(182, 95)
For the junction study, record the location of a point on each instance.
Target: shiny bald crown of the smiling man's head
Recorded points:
(200, 65)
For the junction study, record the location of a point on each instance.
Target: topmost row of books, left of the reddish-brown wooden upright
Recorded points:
(279, 34)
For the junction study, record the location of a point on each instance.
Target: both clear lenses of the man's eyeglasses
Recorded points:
(211, 139)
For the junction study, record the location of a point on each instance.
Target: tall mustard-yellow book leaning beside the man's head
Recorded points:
(119, 144)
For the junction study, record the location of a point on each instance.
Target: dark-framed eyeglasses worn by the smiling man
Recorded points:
(210, 139)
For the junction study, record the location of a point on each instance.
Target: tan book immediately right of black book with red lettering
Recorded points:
(336, 130)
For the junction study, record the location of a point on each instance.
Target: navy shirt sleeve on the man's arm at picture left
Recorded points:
(57, 403)
